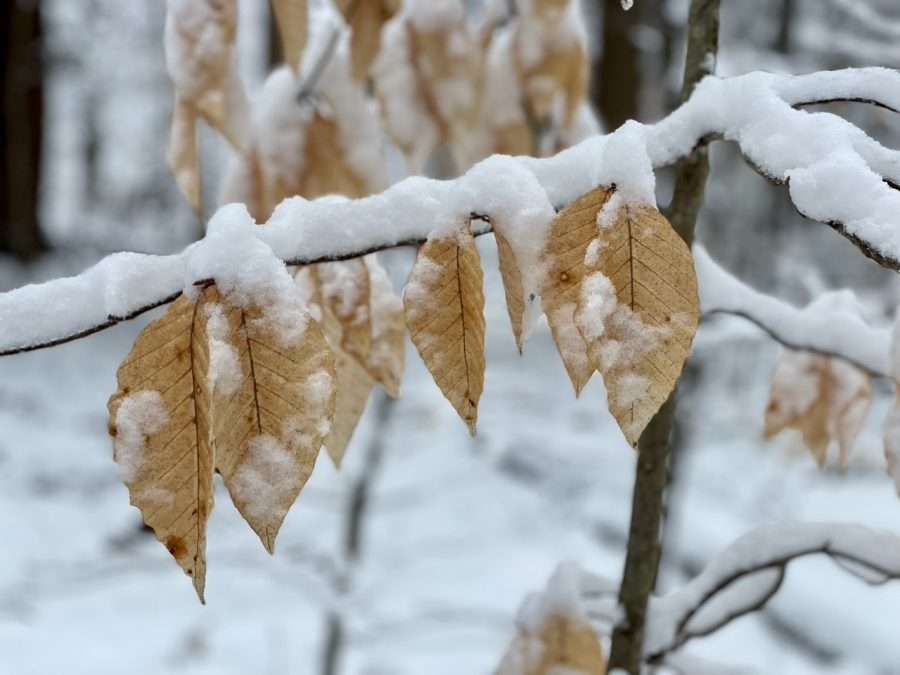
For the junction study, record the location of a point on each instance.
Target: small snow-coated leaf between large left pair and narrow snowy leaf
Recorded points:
(345, 290)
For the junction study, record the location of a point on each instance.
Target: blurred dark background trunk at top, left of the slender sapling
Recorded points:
(616, 87)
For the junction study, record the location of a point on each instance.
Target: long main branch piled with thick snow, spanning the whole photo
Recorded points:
(836, 174)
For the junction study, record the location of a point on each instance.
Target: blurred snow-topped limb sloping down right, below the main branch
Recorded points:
(830, 330)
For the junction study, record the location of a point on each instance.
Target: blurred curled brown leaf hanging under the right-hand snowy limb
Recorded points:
(823, 398)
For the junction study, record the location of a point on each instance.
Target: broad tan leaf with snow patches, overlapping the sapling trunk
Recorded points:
(638, 311)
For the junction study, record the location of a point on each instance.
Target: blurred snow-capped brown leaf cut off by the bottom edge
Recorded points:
(563, 644)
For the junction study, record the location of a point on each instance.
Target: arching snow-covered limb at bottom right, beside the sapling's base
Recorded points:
(750, 571)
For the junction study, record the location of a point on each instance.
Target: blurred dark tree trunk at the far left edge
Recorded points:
(21, 127)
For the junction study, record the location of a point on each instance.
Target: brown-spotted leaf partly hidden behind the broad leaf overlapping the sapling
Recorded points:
(570, 235)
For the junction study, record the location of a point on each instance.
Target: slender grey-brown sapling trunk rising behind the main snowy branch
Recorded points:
(642, 557)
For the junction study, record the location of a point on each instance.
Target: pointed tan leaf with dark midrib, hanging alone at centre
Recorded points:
(444, 304)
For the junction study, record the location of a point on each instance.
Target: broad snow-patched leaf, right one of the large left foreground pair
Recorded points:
(273, 405)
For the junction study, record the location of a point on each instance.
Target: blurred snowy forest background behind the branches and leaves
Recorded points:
(416, 556)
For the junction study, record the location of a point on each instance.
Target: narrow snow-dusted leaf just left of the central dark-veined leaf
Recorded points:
(388, 355)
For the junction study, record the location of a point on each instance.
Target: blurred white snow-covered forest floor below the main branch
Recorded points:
(458, 532)
